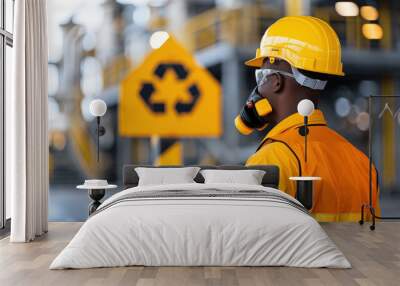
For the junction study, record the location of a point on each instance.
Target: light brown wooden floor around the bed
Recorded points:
(375, 257)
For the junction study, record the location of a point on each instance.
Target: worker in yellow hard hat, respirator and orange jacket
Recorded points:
(296, 58)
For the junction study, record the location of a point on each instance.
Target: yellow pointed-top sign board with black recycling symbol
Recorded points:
(170, 95)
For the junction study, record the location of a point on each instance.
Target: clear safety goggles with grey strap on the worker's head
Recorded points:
(303, 80)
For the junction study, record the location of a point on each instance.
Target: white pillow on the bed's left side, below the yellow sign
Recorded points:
(162, 176)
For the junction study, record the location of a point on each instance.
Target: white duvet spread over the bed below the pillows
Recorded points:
(200, 231)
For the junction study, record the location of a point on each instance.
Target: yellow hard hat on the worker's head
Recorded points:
(305, 42)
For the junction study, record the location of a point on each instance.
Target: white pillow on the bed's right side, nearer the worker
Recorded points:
(249, 177)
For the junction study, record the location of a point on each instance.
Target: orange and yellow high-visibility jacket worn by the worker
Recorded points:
(343, 168)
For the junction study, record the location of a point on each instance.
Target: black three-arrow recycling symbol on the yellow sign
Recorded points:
(148, 89)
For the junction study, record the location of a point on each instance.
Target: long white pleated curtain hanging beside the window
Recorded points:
(26, 123)
